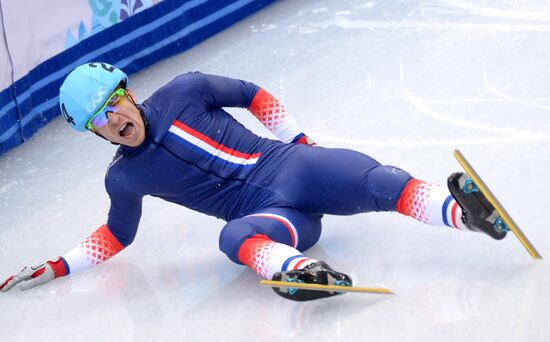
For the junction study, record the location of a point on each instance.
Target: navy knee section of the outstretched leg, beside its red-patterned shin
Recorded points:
(385, 183)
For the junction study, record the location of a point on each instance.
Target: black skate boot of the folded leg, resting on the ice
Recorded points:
(316, 273)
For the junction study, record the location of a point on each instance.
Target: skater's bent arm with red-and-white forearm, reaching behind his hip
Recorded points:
(221, 91)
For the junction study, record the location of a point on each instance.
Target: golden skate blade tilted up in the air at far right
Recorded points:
(508, 221)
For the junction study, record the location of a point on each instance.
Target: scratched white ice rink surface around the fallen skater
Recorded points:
(405, 82)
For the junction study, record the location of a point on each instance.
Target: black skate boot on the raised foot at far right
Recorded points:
(477, 213)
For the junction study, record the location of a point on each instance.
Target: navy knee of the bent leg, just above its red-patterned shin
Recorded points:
(232, 237)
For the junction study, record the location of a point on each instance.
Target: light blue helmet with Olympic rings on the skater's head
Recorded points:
(86, 89)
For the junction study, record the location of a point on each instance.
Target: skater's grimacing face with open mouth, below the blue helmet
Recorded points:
(124, 124)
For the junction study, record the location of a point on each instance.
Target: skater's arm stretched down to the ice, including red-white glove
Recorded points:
(101, 245)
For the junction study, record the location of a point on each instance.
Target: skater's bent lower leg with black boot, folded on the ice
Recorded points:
(270, 243)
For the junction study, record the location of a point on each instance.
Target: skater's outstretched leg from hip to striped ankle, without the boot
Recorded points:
(343, 182)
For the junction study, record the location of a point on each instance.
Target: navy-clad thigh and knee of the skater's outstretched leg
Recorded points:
(338, 182)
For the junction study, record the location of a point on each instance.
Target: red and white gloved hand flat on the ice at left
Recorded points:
(36, 275)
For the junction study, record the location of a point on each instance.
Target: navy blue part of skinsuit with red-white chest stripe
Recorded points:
(197, 155)
